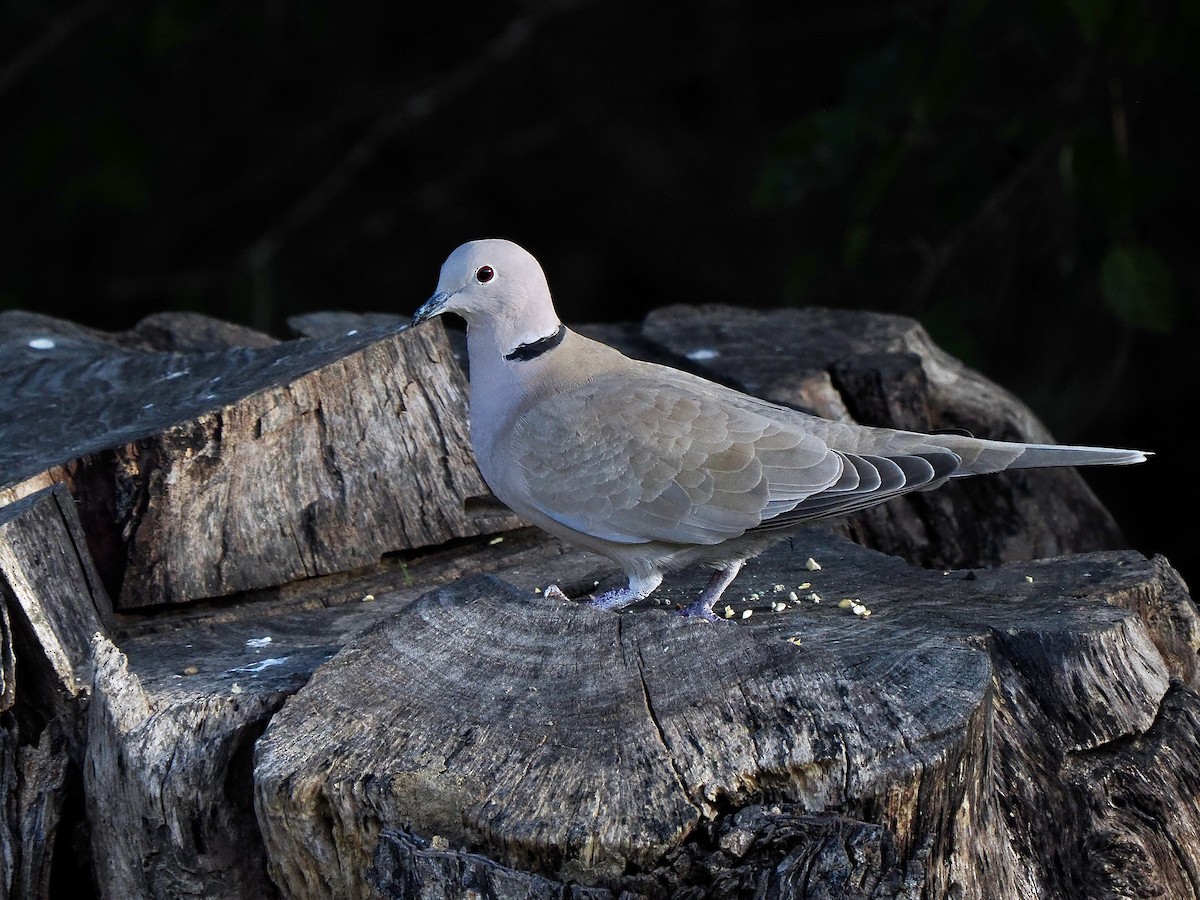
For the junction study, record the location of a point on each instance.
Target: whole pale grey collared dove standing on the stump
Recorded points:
(657, 469)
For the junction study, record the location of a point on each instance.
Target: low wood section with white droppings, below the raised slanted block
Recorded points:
(177, 710)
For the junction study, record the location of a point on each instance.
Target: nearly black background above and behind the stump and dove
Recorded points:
(1017, 176)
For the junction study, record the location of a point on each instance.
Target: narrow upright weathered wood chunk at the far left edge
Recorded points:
(53, 607)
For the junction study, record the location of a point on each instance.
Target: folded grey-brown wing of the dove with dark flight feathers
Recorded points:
(634, 460)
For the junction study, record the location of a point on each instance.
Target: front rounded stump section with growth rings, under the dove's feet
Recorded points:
(584, 746)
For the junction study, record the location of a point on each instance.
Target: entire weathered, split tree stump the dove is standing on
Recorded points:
(328, 670)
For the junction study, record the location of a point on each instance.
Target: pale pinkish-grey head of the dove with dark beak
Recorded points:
(501, 292)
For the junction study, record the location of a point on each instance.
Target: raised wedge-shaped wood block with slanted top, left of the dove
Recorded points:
(209, 471)
